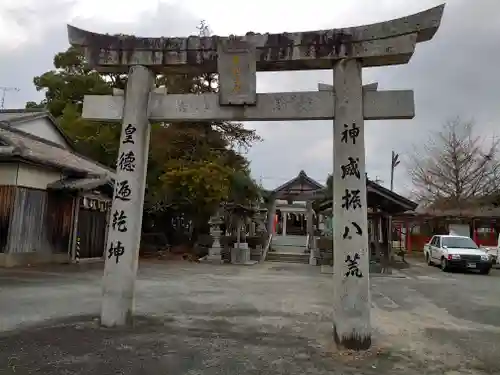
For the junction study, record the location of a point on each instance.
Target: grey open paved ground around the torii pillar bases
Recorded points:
(267, 319)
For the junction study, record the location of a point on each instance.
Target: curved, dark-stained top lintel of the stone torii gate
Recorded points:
(284, 51)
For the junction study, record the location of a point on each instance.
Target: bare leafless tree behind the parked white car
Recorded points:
(454, 166)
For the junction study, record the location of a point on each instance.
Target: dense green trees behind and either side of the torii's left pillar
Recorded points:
(192, 166)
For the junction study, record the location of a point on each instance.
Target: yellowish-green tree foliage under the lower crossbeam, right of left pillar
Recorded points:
(191, 171)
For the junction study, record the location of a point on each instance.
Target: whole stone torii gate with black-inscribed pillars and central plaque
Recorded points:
(237, 59)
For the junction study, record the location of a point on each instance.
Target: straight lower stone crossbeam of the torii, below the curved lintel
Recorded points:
(316, 105)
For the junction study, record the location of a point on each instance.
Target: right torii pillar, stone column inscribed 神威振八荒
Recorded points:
(352, 302)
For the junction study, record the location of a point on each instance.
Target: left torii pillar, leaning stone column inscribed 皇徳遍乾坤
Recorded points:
(124, 229)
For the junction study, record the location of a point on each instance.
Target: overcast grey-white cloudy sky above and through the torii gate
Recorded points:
(454, 74)
